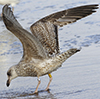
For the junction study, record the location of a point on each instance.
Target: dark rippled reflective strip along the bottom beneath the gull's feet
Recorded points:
(40, 95)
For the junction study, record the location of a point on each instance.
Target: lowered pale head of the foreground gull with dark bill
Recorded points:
(11, 73)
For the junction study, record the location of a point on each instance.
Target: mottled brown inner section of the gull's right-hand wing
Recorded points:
(47, 35)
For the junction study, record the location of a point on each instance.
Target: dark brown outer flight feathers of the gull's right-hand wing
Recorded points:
(71, 15)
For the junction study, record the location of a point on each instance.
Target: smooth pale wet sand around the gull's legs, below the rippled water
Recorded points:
(78, 77)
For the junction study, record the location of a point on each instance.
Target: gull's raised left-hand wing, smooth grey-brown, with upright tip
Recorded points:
(32, 48)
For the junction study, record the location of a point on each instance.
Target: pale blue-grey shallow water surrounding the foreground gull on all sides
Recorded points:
(78, 78)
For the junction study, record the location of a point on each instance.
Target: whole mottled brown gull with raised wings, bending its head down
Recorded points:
(41, 54)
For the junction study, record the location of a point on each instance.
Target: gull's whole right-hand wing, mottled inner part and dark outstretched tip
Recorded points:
(46, 29)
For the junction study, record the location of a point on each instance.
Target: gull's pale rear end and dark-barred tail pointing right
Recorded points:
(57, 60)
